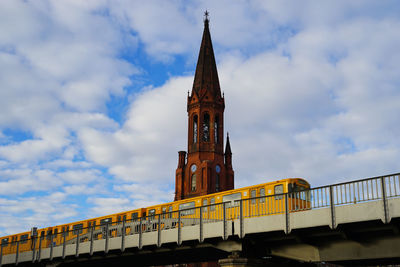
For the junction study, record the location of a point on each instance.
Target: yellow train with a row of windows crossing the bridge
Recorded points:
(258, 200)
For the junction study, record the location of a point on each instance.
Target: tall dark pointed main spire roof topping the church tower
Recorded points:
(206, 76)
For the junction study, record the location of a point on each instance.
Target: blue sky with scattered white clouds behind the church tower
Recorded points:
(93, 98)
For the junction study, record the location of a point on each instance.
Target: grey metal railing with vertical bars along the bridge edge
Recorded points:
(371, 189)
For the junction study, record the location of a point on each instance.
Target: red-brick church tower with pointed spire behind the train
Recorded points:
(205, 168)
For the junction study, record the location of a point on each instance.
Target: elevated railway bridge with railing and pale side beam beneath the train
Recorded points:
(349, 223)
